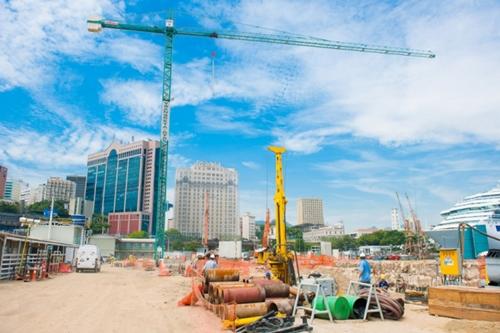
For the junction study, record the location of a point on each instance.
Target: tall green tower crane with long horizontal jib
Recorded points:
(169, 32)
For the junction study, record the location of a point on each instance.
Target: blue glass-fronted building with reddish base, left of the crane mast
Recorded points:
(121, 182)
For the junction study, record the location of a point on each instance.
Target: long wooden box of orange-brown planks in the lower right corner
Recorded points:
(465, 302)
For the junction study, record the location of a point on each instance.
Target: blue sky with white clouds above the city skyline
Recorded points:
(358, 127)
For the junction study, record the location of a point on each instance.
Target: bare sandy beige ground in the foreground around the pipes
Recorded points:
(133, 300)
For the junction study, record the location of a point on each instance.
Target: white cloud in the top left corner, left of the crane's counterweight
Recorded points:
(36, 33)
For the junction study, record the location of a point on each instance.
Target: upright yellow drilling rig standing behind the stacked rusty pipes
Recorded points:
(278, 259)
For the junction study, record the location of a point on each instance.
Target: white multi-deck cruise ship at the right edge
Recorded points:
(480, 210)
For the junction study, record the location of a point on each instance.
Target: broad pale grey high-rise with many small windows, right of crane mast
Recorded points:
(222, 187)
